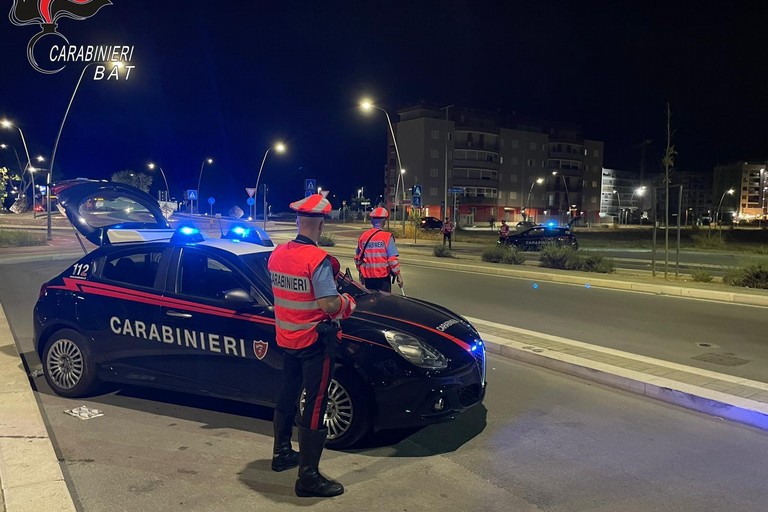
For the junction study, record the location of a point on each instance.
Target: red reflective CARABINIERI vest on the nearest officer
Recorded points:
(296, 310)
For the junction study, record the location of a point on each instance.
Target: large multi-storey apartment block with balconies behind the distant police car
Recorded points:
(486, 167)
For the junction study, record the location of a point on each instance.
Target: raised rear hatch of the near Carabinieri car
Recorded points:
(94, 207)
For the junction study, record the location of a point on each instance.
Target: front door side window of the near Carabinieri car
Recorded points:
(206, 276)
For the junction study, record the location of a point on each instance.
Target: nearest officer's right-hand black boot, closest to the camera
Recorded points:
(310, 482)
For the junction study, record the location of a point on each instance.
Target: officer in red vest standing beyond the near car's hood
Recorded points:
(376, 255)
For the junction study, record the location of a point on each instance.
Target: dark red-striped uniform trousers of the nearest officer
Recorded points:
(310, 368)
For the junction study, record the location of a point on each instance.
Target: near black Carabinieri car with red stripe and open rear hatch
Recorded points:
(169, 308)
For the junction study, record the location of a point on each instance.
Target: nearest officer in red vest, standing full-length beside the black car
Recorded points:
(307, 310)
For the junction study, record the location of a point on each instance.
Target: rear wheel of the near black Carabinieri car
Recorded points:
(68, 364)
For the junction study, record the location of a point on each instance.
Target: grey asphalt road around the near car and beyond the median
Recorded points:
(542, 441)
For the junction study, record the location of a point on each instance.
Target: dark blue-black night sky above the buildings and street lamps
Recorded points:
(227, 78)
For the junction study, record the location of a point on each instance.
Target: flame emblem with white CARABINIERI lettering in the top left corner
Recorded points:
(46, 13)
